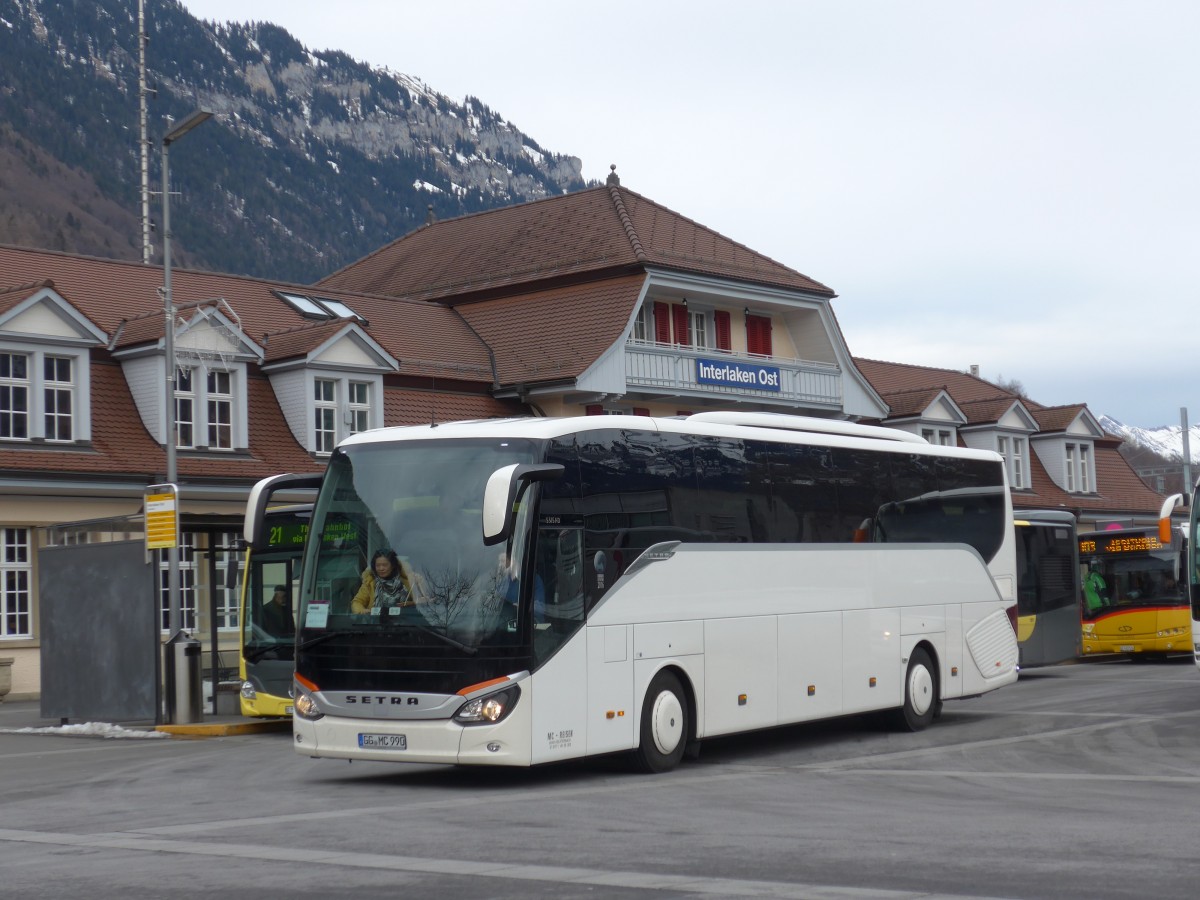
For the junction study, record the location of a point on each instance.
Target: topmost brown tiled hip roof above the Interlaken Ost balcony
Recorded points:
(589, 232)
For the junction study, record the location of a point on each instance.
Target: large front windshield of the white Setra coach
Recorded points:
(400, 562)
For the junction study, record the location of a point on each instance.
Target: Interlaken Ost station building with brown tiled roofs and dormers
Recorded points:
(593, 303)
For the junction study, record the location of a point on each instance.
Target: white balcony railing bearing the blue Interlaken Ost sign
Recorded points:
(675, 368)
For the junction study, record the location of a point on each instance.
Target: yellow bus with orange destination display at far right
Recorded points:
(1136, 599)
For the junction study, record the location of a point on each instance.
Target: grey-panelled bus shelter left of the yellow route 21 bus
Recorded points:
(103, 615)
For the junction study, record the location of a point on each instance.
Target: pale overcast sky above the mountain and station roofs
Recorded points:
(1009, 184)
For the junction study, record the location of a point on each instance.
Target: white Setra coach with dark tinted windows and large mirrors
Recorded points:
(596, 585)
